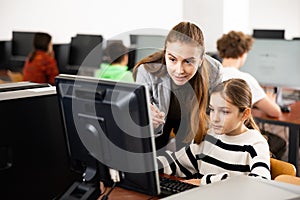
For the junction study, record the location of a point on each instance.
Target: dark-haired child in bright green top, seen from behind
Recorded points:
(116, 67)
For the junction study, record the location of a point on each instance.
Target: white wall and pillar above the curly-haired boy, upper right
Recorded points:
(216, 17)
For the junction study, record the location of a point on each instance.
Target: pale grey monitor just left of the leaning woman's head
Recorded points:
(145, 45)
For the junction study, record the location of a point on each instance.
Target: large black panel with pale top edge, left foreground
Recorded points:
(33, 152)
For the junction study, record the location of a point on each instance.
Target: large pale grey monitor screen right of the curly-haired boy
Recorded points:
(275, 62)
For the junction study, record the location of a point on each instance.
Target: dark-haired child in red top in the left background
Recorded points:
(41, 66)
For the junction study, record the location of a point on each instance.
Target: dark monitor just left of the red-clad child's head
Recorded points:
(22, 43)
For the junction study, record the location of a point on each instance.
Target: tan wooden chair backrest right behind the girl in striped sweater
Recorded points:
(279, 167)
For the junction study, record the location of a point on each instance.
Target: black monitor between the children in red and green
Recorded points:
(86, 50)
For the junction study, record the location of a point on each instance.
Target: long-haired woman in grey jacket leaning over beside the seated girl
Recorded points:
(179, 79)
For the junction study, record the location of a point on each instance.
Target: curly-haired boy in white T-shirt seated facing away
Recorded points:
(233, 48)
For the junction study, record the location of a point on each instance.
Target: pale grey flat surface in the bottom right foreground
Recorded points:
(242, 187)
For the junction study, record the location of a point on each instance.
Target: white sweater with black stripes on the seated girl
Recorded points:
(219, 157)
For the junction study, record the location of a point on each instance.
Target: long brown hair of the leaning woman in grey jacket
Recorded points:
(185, 32)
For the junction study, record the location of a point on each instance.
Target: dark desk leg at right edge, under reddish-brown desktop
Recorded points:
(294, 133)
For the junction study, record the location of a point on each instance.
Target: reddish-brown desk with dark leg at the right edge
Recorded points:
(291, 120)
